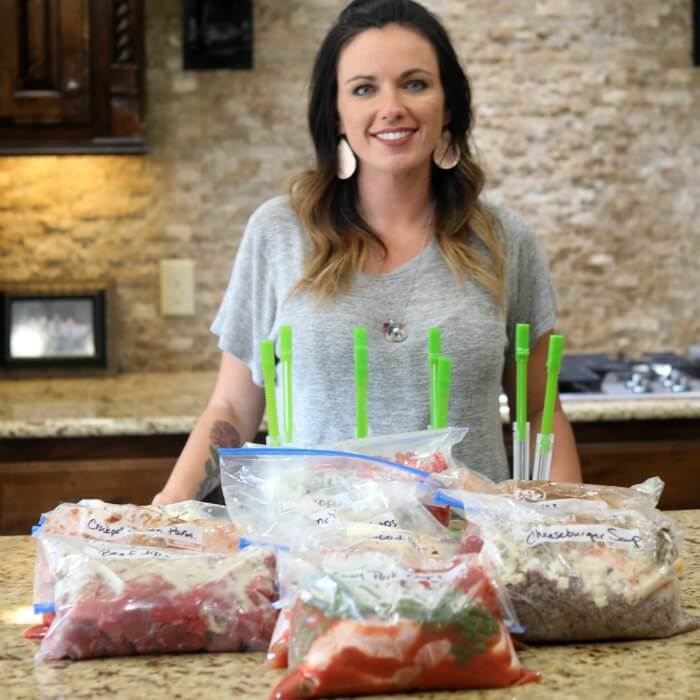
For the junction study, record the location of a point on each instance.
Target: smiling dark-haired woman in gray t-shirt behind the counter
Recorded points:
(387, 232)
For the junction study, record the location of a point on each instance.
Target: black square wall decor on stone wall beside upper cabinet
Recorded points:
(217, 34)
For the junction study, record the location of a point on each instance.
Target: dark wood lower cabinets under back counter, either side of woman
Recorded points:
(38, 473)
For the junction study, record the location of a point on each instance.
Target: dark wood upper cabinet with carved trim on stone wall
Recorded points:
(71, 76)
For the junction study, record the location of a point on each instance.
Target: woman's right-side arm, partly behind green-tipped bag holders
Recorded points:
(565, 462)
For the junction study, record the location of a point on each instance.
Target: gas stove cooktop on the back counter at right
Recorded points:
(652, 375)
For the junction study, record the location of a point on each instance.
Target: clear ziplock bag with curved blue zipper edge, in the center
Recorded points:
(264, 487)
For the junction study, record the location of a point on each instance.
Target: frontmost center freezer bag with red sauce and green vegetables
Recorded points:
(369, 622)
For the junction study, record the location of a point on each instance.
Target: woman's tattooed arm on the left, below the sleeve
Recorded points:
(231, 418)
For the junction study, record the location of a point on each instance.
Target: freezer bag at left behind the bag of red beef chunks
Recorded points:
(189, 525)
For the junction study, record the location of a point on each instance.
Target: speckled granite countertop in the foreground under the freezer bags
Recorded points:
(662, 669)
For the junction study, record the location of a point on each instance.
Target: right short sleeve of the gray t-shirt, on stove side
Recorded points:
(530, 296)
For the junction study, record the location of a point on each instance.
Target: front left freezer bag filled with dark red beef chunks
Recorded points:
(116, 600)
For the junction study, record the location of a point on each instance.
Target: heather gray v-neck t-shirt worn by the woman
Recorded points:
(421, 293)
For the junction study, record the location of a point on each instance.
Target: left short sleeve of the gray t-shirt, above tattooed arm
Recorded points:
(247, 313)
